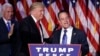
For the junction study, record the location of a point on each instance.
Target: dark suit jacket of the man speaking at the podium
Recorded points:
(78, 37)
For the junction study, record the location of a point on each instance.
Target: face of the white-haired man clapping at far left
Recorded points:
(7, 13)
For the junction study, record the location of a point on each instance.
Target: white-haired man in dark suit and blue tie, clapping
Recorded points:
(8, 32)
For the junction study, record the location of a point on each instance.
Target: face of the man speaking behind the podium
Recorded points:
(64, 20)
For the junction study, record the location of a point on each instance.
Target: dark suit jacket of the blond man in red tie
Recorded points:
(29, 33)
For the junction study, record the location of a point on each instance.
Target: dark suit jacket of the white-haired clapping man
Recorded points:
(7, 45)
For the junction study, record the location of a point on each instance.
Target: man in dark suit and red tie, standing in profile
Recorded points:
(30, 28)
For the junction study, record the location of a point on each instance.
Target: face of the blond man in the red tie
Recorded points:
(38, 13)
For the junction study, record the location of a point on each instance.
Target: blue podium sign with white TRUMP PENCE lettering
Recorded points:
(54, 50)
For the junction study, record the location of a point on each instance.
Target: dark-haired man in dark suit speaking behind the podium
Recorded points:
(68, 34)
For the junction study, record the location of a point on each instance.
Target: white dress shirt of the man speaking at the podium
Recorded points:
(68, 33)
